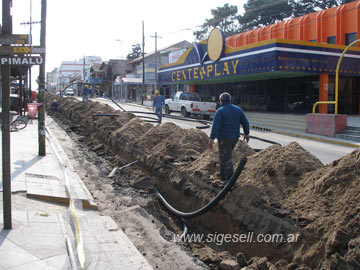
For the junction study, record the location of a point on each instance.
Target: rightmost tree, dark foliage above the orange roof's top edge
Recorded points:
(302, 7)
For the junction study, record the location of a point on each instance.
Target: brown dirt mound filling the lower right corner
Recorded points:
(327, 203)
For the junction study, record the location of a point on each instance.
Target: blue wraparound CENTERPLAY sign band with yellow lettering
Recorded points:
(281, 56)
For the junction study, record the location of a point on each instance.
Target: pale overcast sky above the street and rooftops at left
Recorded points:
(109, 28)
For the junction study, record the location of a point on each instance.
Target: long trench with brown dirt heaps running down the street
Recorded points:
(282, 190)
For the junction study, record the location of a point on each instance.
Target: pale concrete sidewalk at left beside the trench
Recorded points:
(43, 234)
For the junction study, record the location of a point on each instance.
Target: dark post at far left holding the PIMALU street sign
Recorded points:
(5, 77)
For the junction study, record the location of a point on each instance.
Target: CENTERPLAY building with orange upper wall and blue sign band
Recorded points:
(284, 67)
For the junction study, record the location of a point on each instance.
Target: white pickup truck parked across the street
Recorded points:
(189, 103)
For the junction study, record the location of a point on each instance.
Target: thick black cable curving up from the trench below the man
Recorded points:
(212, 203)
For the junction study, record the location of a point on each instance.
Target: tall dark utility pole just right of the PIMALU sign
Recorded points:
(41, 97)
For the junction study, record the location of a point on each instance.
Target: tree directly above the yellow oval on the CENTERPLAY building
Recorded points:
(225, 18)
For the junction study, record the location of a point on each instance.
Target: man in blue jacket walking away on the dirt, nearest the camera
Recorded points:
(226, 129)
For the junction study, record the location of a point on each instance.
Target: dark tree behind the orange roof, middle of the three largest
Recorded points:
(260, 13)
